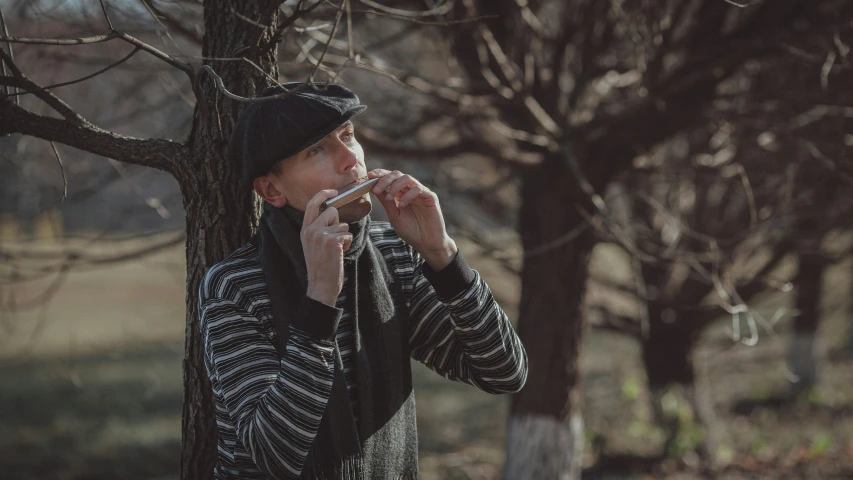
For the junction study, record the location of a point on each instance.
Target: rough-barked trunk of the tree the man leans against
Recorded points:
(220, 209)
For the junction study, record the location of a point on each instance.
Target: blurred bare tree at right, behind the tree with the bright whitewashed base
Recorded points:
(715, 213)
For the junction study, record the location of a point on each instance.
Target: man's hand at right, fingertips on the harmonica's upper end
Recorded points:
(416, 216)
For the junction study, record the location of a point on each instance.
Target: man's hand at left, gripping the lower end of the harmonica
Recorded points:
(324, 241)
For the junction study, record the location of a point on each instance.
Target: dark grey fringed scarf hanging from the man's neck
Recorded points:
(344, 448)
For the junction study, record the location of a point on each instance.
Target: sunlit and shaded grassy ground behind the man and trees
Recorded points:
(91, 389)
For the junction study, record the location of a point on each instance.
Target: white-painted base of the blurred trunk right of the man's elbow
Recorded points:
(542, 447)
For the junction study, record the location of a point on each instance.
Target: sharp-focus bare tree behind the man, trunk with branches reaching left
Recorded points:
(221, 210)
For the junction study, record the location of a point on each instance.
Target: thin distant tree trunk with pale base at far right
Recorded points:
(801, 354)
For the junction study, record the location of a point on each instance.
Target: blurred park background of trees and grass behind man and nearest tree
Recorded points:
(657, 193)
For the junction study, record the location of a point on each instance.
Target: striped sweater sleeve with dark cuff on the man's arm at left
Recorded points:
(276, 405)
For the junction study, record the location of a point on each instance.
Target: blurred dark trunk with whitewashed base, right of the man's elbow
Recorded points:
(545, 436)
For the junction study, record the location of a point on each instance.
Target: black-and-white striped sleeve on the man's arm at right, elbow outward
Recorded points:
(460, 331)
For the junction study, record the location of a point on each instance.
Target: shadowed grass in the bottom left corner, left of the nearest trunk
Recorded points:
(98, 416)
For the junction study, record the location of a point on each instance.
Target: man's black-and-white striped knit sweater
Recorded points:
(268, 410)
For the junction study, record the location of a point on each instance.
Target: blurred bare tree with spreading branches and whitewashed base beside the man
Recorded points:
(566, 96)
